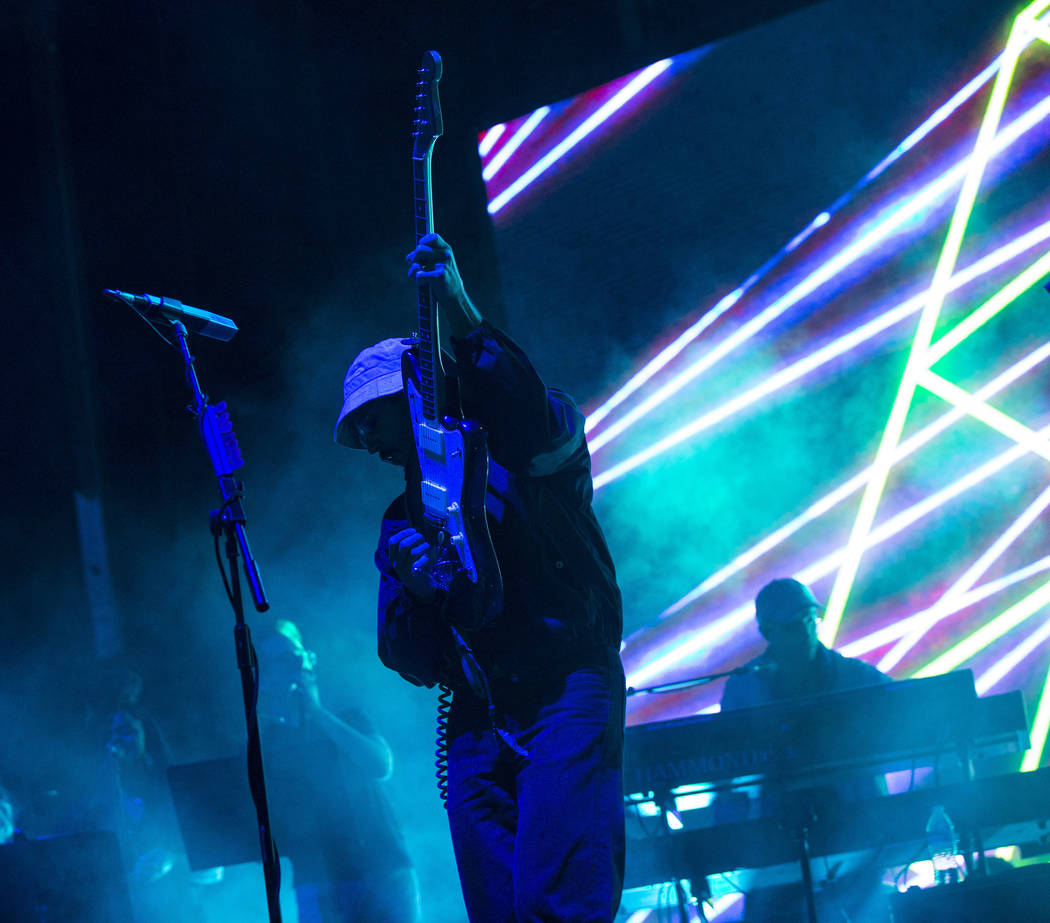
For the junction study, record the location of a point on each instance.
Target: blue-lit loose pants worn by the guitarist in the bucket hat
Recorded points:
(541, 838)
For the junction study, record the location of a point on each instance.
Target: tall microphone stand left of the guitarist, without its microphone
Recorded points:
(217, 432)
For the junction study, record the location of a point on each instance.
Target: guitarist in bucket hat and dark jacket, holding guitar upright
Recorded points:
(535, 735)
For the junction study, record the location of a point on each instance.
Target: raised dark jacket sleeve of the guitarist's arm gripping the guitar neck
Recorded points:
(533, 430)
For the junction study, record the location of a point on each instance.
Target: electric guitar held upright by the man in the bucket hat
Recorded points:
(453, 452)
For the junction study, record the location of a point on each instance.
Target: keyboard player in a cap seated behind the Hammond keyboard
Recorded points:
(796, 665)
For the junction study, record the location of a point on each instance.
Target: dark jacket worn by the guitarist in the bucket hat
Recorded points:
(561, 597)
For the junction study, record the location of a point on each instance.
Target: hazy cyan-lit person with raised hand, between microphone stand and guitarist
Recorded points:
(330, 815)
